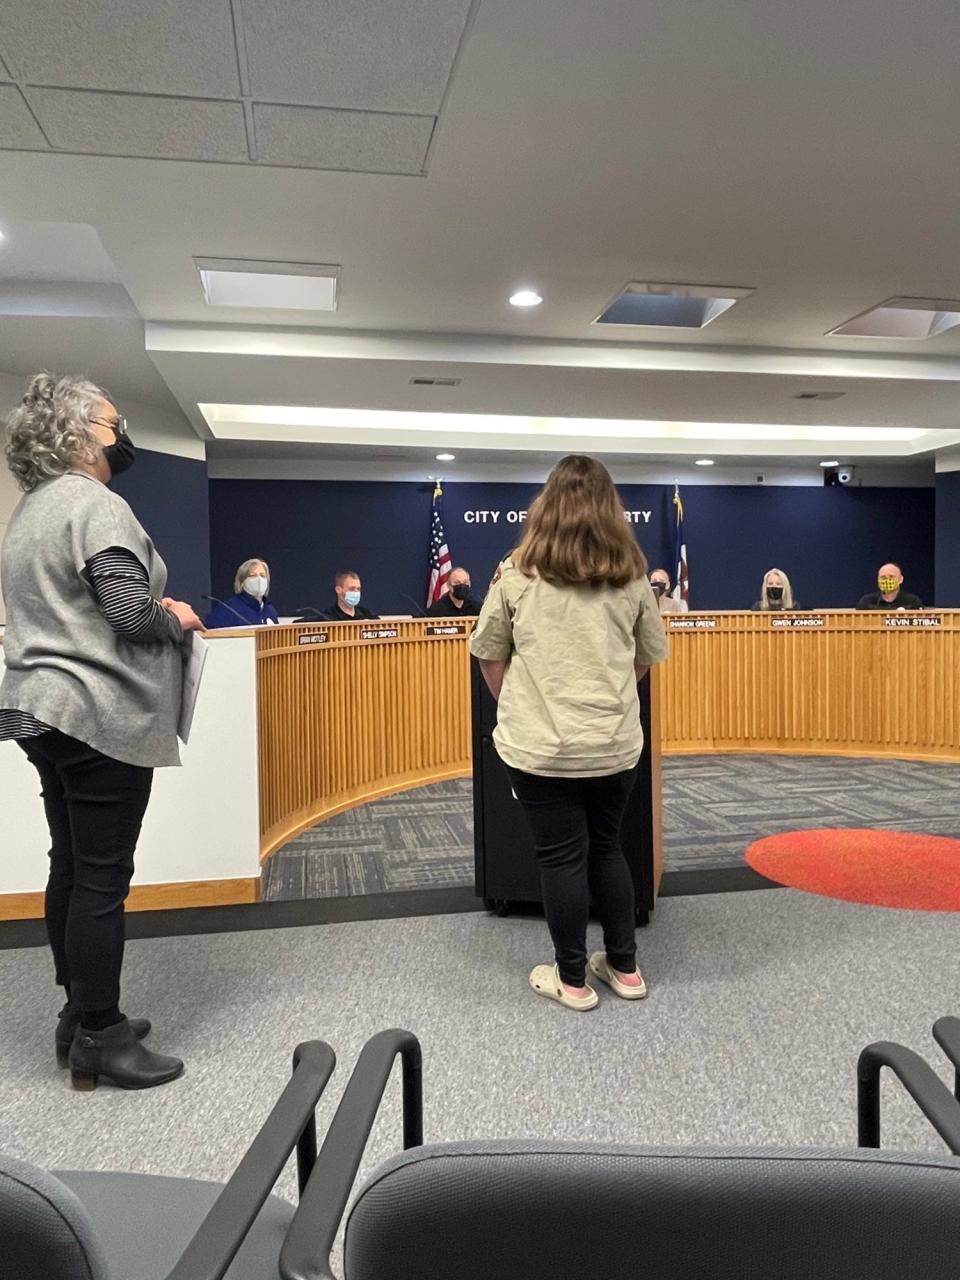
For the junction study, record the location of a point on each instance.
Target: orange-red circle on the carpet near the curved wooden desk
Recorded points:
(880, 868)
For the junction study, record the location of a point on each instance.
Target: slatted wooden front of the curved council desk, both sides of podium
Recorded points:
(355, 716)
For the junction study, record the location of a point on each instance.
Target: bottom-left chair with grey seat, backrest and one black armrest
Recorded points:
(136, 1227)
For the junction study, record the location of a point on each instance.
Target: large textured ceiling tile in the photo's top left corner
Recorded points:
(175, 47)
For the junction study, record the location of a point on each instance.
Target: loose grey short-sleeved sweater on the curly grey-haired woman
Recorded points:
(66, 666)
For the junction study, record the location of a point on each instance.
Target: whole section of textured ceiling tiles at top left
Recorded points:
(327, 86)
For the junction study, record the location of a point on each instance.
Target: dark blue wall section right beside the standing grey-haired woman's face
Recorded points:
(171, 500)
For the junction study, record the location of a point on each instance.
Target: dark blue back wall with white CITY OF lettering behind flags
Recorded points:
(830, 541)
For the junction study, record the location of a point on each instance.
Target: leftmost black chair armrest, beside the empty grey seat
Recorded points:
(290, 1124)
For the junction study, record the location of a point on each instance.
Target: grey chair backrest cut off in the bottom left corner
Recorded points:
(45, 1233)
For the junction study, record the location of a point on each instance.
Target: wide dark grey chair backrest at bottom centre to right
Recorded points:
(564, 1212)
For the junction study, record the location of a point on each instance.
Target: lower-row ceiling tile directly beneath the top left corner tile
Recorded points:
(139, 126)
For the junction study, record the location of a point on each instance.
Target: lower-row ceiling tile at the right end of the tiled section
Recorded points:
(356, 141)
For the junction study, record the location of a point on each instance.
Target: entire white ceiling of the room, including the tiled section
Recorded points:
(810, 154)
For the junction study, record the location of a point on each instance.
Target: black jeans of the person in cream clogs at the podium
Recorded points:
(577, 831)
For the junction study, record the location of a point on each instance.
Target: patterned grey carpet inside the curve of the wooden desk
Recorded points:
(714, 808)
